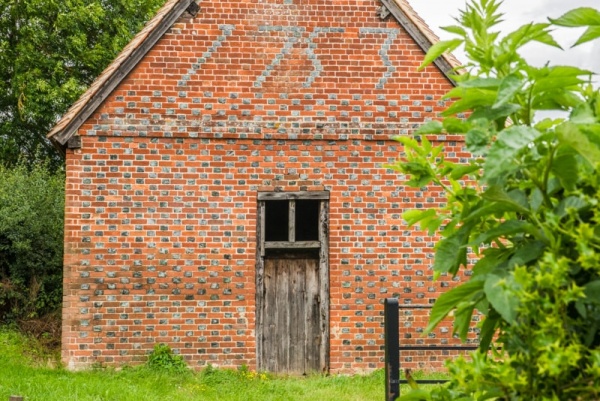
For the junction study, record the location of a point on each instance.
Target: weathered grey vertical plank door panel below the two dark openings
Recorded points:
(292, 322)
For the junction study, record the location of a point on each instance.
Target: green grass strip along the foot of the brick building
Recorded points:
(25, 371)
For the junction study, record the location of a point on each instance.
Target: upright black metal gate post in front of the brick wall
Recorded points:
(391, 320)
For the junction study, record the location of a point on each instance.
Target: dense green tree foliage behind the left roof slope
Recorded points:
(50, 52)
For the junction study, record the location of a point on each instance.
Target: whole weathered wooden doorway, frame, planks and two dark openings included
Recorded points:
(292, 283)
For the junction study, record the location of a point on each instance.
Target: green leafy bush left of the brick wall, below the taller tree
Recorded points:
(31, 241)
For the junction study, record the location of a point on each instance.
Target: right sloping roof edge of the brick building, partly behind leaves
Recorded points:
(409, 19)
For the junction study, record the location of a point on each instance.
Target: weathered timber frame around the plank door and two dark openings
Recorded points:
(323, 247)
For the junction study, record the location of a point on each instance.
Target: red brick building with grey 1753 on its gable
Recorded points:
(226, 190)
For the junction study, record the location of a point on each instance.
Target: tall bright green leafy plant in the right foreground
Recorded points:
(526, 205)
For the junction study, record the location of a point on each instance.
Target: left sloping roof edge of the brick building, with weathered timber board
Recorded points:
(114, 74)
